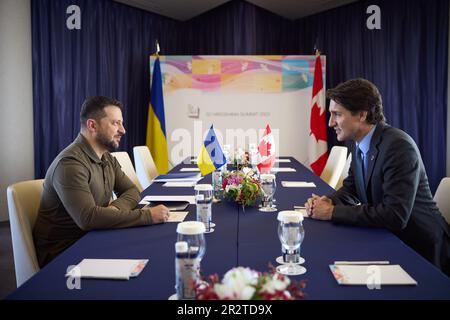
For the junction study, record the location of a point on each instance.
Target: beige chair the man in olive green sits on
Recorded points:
(24, 199)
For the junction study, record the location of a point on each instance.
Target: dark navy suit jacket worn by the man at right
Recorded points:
(398, 196)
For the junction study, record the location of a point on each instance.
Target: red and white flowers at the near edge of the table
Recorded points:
(246, 284)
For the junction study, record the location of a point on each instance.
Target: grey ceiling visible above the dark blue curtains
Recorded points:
(186, 9)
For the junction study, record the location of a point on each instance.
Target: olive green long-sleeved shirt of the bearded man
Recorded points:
(77, 192)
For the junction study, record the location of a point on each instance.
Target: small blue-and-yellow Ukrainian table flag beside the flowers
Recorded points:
(211, 156)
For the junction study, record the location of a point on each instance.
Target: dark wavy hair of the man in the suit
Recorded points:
(359, 95)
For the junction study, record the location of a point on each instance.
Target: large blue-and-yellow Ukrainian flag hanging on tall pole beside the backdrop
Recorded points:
(156, 124)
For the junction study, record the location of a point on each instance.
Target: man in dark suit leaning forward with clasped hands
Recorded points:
(387, 185)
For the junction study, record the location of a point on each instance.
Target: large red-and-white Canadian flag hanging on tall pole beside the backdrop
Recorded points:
(317, 144)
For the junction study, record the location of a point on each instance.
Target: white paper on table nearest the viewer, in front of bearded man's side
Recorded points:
(121, 269)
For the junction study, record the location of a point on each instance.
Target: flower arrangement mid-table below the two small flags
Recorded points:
(243, 187)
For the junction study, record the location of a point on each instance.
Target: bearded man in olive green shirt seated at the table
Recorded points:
(79, 183)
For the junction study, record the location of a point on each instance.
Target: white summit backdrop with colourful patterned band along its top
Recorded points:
(239, 105)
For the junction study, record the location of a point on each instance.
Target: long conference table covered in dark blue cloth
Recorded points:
(241, 238)
